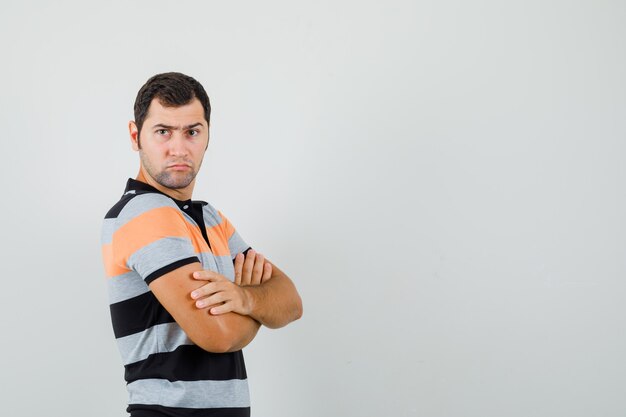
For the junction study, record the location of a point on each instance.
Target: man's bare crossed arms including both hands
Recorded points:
(224, 316)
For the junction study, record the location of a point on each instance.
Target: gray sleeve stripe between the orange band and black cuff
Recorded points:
(161, 253)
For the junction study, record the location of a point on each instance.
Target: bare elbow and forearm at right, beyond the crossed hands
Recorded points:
(276, 302)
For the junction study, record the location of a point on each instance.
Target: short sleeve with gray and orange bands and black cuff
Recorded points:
(152, 237)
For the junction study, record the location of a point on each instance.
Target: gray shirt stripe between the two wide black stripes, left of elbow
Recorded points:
(157, 339)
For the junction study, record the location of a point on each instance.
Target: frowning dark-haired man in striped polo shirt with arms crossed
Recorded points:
(180, 337)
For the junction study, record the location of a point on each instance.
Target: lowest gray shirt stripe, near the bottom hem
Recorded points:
(190, 394)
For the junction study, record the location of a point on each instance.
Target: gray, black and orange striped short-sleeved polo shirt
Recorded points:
(146, 235)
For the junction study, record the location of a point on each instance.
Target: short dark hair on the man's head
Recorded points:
(172, 89)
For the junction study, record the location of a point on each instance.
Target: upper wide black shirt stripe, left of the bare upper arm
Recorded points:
(137, 314)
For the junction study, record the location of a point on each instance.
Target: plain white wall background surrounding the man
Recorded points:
(443, 180)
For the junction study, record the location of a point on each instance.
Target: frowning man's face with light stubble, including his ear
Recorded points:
(173, 141)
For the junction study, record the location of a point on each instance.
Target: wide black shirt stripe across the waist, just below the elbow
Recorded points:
(188, 363)
